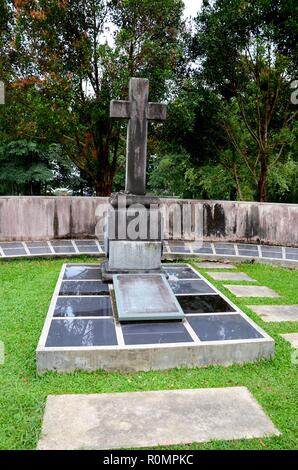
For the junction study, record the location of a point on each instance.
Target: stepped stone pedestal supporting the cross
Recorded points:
(133, 235)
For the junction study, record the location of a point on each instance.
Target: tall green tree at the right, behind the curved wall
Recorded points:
(242, 61)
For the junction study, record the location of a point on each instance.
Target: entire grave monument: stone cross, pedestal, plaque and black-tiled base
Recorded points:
(131, 313)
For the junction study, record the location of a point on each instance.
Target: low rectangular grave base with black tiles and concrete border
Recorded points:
(81, 330)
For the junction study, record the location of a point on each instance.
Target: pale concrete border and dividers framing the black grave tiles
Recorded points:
(151, 356)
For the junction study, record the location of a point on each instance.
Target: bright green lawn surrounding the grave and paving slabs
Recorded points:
(26, 288)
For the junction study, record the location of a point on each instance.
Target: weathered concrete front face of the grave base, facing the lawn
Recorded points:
(159, 357)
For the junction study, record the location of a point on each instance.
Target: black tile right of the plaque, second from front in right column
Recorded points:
(204, 304)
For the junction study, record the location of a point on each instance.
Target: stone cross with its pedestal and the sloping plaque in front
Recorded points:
(134, 228)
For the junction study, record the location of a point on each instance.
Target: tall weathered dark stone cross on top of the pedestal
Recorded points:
(138, 110)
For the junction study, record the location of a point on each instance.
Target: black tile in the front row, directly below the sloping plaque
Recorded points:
(154, 333)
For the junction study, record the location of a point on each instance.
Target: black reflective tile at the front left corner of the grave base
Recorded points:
(82, 333)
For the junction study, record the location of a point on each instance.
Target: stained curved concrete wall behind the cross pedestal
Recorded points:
(45, 218)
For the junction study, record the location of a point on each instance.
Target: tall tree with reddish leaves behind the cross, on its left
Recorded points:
(78, 73)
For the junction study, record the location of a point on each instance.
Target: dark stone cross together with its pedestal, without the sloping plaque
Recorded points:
(133, 232)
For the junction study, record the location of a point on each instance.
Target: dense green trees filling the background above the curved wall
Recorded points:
(231, 130)
